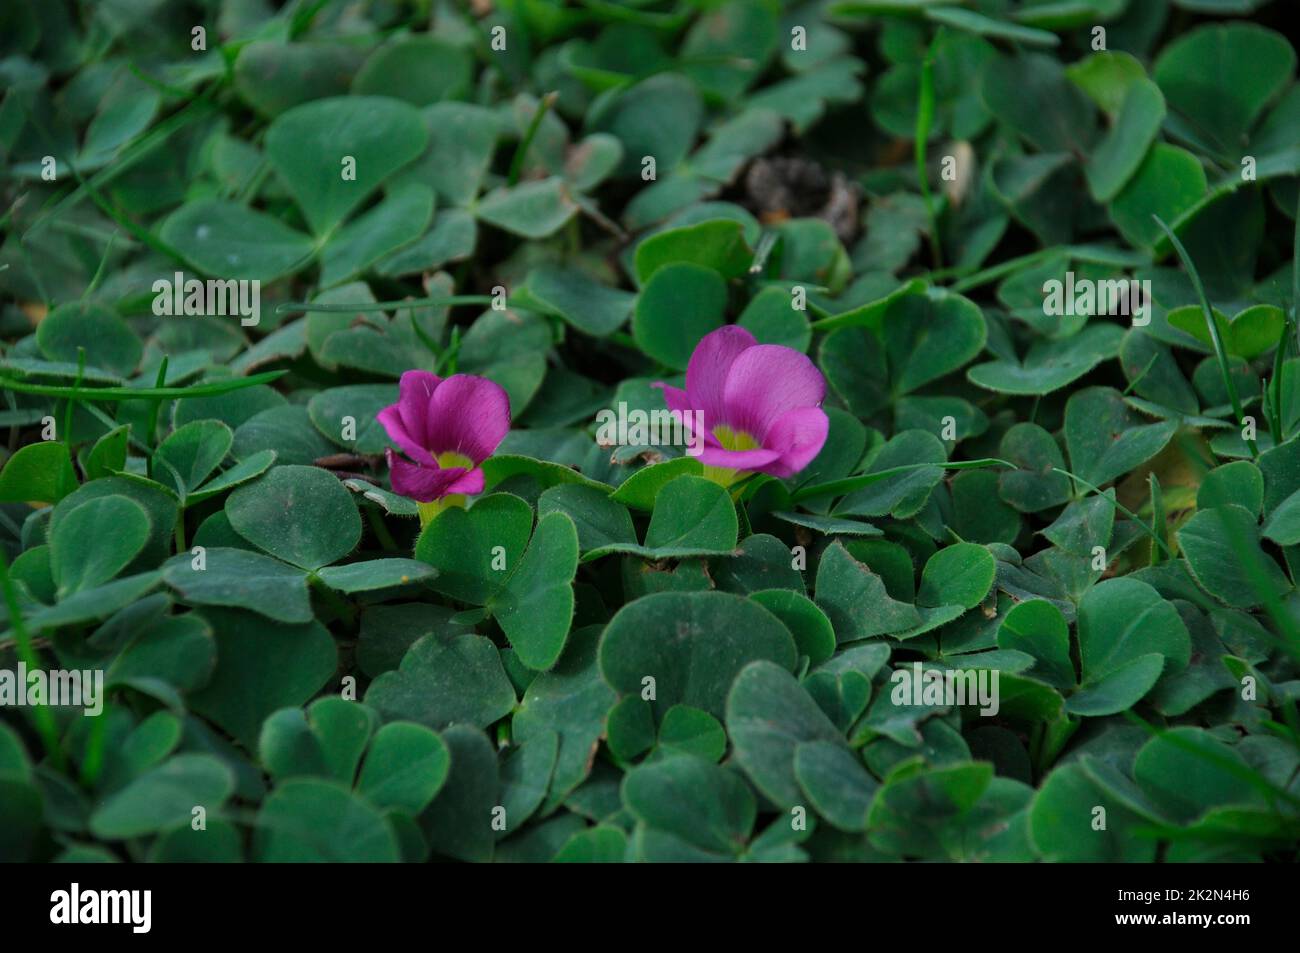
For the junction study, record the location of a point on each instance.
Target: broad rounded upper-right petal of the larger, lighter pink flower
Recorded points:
(768, 382)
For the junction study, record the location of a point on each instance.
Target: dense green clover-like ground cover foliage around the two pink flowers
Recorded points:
(600, 649)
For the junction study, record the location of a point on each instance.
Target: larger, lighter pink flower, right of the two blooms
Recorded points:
(760, 406)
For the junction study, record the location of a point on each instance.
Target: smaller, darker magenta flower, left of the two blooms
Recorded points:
(448, 428)
